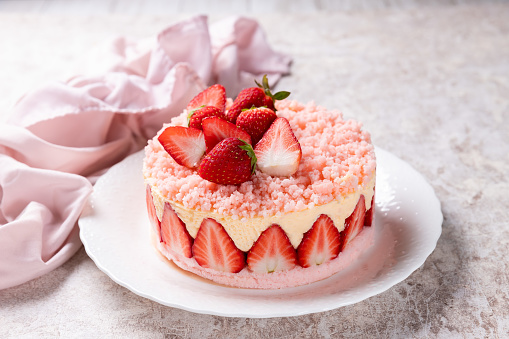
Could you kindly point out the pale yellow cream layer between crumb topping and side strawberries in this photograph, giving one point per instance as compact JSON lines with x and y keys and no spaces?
{"x":244,"y":232}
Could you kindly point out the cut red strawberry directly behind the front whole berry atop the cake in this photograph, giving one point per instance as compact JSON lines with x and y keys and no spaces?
{"x":216,"y":129}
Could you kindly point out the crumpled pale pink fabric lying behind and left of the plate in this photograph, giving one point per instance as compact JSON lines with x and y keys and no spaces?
{"x":63,"y":136}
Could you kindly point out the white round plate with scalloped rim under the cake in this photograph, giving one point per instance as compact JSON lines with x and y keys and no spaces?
{"x":115,"y":232}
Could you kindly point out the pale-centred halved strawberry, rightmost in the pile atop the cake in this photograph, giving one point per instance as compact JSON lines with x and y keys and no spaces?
{"x":278,"y":152}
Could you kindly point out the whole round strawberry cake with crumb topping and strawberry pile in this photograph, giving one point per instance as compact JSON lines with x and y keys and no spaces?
{"x":261,"y":191}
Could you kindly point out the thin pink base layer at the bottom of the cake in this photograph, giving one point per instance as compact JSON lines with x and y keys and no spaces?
{"x":295,"y":277}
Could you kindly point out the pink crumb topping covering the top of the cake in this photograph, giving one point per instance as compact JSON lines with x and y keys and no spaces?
{"x":337,"y":159}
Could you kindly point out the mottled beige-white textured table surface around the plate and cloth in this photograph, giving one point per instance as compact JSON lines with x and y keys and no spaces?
{"x":431,"y":84}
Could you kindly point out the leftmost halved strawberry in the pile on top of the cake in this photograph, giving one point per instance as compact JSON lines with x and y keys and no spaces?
{"x":185,"y":145}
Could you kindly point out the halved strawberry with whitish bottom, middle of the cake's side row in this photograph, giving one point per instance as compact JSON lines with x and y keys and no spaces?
{"x":272,"y":252}
